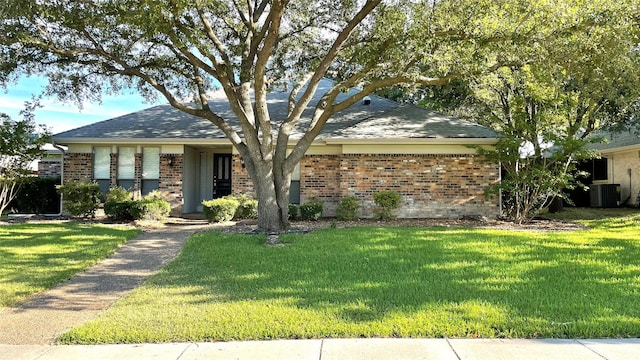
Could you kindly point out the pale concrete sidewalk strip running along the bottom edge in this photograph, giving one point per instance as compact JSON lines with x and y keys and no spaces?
{"x":334,"y":349}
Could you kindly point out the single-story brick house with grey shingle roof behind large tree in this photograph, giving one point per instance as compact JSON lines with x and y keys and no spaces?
{"x":375,"y":145}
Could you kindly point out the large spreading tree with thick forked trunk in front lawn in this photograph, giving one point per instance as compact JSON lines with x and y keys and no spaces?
{"x":182,"y":49}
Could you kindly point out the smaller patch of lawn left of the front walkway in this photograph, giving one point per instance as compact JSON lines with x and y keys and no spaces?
{"x":36,"y":257}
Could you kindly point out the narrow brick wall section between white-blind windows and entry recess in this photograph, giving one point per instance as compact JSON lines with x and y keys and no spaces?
{"x":170,"y":182}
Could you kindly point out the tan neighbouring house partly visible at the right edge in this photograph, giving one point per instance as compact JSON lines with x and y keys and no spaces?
{"x":620,"y":164}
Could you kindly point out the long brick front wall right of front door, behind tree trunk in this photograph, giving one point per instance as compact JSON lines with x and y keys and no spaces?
{"x":431,"y":186}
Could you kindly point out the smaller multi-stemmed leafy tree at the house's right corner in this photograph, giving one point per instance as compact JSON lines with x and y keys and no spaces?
{"x":548,"y":106}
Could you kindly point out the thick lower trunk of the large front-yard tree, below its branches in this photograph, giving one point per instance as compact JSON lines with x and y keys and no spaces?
{"x":272,"y":193}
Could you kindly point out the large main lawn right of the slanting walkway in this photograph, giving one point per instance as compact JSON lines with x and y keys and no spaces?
{"x":389,"y":282}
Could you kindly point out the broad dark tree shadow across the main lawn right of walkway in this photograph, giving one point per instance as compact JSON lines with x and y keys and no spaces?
{"x":484,"y":282}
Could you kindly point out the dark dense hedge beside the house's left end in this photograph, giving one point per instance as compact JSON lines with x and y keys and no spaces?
{"x":37,"y":195}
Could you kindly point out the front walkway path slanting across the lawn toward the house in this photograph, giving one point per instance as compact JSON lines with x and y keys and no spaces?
{"x":45,"y":317}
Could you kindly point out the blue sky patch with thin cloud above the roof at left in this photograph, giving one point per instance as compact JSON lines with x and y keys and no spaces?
{"x":59,"y":116}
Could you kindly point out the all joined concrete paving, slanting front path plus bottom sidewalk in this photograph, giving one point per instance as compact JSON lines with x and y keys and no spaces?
{"x":28,"y":332}
